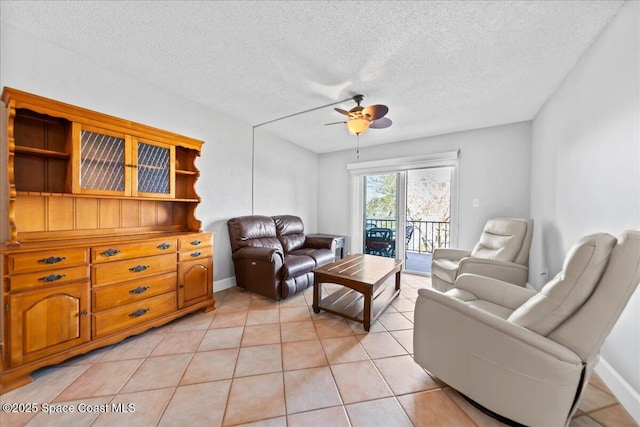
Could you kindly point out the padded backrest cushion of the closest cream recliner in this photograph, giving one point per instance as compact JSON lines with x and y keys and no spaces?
{"x":562,"y":296}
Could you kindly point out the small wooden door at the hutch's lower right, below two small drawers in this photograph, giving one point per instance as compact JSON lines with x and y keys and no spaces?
{"x":195,"y":281}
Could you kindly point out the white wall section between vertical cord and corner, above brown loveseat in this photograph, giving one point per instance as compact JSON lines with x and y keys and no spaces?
{"x":286,"y":179}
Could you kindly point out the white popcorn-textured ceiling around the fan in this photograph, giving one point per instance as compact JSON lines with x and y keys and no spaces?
{"x":440,"y":66}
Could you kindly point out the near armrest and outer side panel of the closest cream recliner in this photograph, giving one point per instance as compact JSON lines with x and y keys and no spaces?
{"x":497,"y":363}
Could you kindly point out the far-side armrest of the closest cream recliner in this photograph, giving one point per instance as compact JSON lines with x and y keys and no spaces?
{"x":494,"y":290}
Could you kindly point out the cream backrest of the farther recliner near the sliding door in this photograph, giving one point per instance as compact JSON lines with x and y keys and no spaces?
{"x":505,"y":239}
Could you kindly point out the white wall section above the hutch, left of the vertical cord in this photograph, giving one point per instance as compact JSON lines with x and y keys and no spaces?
{"x":35,"y":66}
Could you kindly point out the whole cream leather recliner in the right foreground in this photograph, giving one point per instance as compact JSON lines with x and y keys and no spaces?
{"x":525,"y":355}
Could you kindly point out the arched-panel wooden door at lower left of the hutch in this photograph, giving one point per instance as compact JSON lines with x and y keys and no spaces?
{"x":47,"y":322}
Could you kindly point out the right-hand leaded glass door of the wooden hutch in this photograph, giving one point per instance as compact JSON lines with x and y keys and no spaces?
{"x":155,"y":169}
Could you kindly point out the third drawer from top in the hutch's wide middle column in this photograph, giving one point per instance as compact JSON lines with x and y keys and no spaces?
{"x":105,"y":297}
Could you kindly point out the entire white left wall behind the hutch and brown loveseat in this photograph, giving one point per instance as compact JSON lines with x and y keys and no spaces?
{"x":286,"y":175}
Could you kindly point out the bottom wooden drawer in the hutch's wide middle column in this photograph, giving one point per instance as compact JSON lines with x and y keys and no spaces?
{"x":126,"y":316}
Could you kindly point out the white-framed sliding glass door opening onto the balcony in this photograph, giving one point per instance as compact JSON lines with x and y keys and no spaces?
{"x":404,"y":207}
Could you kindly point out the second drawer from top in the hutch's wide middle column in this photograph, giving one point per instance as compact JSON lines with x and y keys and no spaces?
{"x":130,"y":269}
